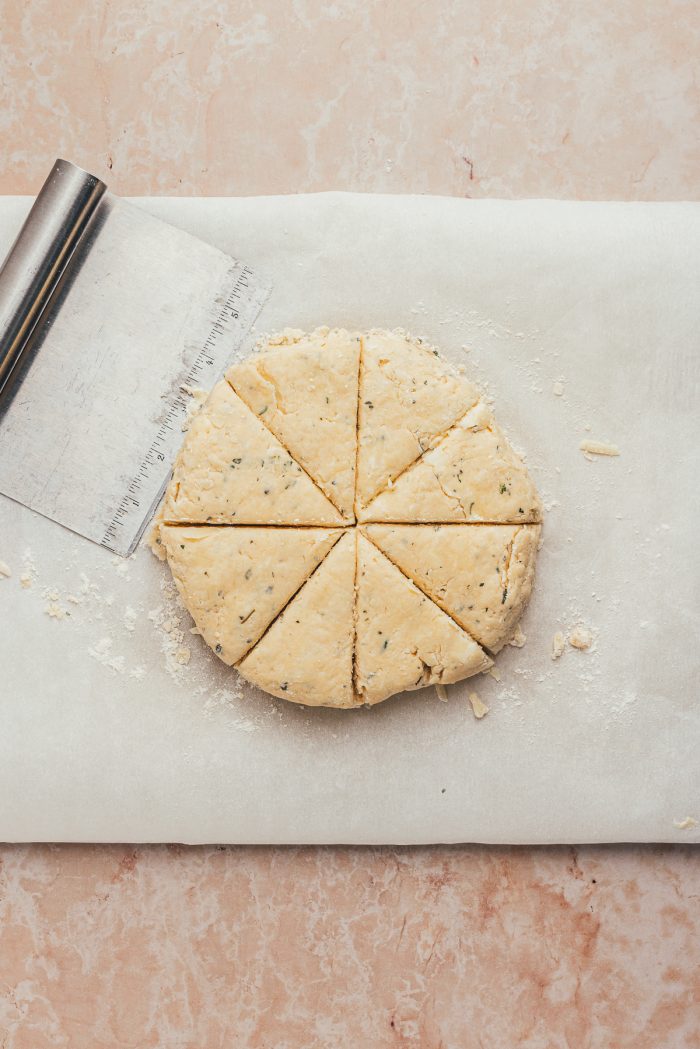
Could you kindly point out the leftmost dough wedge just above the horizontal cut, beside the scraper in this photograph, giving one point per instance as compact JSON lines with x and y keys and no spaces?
{"x":232,"y":470}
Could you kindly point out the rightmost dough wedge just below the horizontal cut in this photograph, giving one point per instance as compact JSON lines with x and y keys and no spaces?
{"x":480,"y":574}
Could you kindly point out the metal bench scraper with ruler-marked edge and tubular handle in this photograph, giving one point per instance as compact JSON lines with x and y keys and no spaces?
{"x":108,"y":317}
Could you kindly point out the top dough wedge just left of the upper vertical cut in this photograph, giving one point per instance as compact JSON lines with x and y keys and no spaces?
{"x":305,"y":390}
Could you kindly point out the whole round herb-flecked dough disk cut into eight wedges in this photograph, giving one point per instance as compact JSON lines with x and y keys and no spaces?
{"x":346,"y":521}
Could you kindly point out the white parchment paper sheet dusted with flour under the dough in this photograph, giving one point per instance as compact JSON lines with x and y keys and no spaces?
{"x":104,"y":737}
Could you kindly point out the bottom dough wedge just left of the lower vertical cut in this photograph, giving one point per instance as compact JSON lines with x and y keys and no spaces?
{"x":307,"y":655}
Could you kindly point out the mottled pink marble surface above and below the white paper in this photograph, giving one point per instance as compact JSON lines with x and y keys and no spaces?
{"x":279,"y":949}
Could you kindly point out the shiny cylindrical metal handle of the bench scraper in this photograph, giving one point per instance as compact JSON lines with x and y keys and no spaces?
{"x":41,"y":254}
